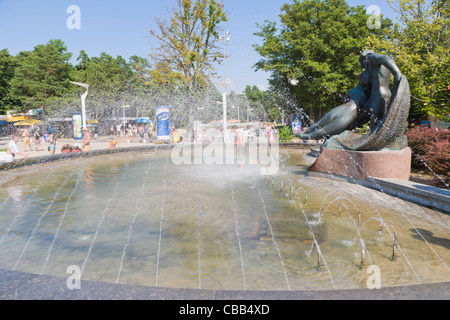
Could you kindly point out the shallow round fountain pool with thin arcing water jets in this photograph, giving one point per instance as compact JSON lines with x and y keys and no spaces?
{"x":135,"y":217}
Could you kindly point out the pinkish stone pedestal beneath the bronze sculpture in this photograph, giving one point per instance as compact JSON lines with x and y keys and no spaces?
{"x":363,"y":164}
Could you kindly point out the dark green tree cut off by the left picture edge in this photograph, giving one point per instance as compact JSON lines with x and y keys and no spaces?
{"x":7,"y":66}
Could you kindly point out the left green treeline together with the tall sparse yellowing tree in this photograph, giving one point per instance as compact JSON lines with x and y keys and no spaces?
{"x":41,"y":78}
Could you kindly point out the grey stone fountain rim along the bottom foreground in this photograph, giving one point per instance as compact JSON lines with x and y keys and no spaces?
{"x":16,"y":285}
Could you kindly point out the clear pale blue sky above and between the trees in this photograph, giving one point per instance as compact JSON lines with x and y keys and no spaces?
{"x":121,"y":28}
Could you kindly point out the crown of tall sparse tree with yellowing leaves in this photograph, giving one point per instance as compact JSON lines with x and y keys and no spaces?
{"x":187,"y":44}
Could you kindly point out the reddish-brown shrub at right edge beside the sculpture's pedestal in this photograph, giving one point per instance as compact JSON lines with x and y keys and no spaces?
{"x":432,"y":147}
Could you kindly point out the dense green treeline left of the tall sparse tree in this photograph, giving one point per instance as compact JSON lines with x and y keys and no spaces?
{"x":41,"y":79}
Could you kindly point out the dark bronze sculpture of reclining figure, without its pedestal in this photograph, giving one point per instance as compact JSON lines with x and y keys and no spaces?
{"x":371,"y":100}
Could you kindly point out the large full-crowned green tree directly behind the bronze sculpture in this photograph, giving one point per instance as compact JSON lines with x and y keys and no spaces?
{"x":313,"y":56}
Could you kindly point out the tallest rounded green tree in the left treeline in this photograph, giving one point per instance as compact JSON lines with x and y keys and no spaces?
{"x":40,"y":75}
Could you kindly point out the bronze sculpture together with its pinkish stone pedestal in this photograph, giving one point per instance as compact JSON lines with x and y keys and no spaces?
{"x":371,"y":100}
